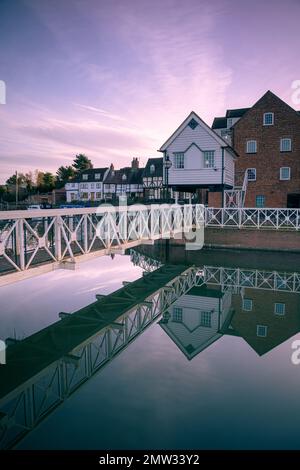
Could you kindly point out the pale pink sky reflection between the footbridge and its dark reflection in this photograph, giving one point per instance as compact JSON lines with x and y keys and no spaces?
{"x":32,"y":304}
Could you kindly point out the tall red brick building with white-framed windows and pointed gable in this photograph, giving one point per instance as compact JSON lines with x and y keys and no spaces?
{"x":267,"y":140}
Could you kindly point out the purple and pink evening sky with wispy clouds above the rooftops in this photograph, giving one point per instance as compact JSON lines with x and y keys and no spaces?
{"x":114,"y":78}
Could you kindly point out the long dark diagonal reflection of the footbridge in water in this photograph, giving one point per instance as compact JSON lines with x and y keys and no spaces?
{"x":47,"y":367}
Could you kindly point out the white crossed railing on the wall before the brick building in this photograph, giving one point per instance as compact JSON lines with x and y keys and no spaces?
{"x":259,"y":218}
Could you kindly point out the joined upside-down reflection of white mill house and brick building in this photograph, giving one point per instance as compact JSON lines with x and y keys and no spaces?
{"x":263,"y":318}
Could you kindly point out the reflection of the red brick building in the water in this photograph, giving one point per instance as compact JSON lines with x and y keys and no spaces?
{"x":266,"y":319}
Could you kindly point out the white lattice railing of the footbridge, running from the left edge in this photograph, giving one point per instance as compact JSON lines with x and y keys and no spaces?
{"x":34,"y":237}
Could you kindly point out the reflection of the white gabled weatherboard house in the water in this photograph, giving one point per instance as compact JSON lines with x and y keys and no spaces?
{"x":197,"y":319}
